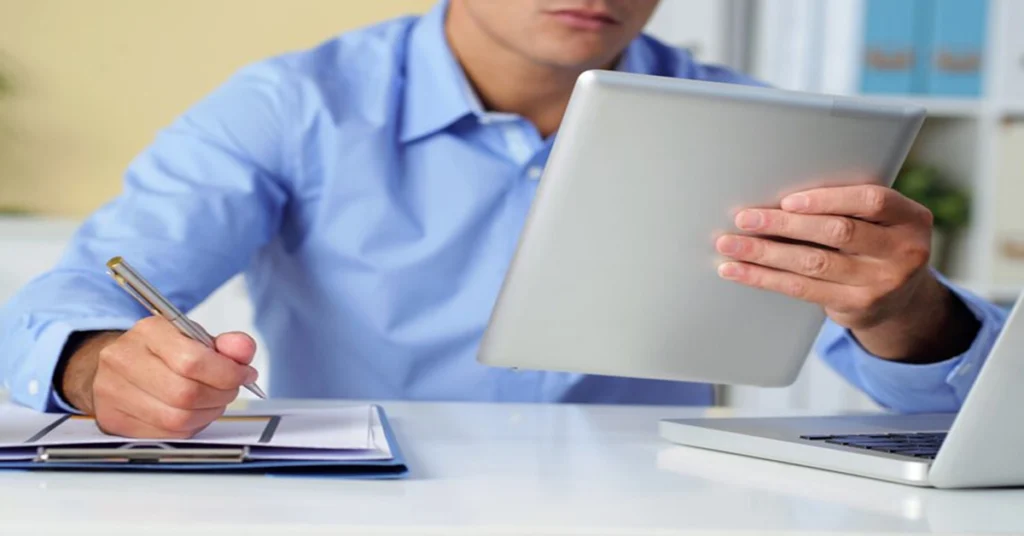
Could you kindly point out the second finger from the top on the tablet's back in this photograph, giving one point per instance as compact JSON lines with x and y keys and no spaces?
{"x":840,"y":233}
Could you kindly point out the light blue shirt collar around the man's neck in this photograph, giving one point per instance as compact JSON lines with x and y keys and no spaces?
{"x":438,"y":93}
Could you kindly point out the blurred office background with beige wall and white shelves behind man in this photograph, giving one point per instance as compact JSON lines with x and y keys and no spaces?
{"x":84,"y":87}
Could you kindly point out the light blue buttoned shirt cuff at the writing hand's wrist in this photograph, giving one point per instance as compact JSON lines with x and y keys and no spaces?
{"x":32,"y":384}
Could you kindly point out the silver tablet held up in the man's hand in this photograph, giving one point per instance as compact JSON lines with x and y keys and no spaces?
{"x":616,"y":271}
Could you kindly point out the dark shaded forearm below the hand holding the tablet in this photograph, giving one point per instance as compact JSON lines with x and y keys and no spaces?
{"x":940,"y":326}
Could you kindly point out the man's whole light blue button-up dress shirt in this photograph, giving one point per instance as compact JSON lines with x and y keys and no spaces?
{"x":374,"y":208}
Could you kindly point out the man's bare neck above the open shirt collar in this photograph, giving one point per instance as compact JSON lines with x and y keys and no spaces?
{"x":504,"y":80}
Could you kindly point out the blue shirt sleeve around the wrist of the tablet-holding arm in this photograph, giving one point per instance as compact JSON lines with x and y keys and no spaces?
{"x":915,"y":389}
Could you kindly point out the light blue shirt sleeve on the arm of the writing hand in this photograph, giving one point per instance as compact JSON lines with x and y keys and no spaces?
{"x":196,"y":205}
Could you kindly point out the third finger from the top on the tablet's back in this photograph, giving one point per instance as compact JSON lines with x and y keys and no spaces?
{"x":814,"y":263}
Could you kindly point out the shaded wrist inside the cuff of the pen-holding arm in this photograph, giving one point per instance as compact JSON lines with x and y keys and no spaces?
{"x":78,"y":367}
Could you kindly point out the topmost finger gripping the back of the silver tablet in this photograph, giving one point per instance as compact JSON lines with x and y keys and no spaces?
{"x":870,"y":202}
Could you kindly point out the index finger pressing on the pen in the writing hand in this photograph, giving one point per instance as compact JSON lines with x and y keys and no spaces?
{"x":191,"y":359}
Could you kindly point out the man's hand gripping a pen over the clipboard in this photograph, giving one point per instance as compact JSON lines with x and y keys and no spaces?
{"x":153,"y":382}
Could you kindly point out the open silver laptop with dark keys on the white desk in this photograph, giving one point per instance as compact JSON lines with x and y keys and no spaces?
{"x":980,"y":446}
